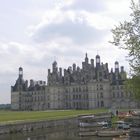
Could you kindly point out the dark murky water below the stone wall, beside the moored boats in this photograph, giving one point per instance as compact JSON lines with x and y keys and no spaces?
{"x":54,"y":134}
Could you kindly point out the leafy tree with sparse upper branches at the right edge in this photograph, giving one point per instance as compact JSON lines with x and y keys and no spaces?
{"x":127,"y":36}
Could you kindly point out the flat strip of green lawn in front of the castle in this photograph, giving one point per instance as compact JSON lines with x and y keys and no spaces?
{"x":19,"y":116}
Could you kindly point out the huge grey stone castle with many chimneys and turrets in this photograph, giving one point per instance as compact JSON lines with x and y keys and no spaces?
{"x":89,"y":87}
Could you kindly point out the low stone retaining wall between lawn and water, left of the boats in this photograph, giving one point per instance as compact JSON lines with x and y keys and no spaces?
{"x":30,"y":126}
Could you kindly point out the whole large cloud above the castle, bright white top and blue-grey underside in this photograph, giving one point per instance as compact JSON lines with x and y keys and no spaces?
{"x":77,"y":27}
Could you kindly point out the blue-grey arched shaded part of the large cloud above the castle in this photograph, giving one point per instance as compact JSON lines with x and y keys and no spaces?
{"x":79,"y":33}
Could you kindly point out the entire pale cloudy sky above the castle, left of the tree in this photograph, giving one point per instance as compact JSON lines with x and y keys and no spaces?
{"x":34,"y":33}
